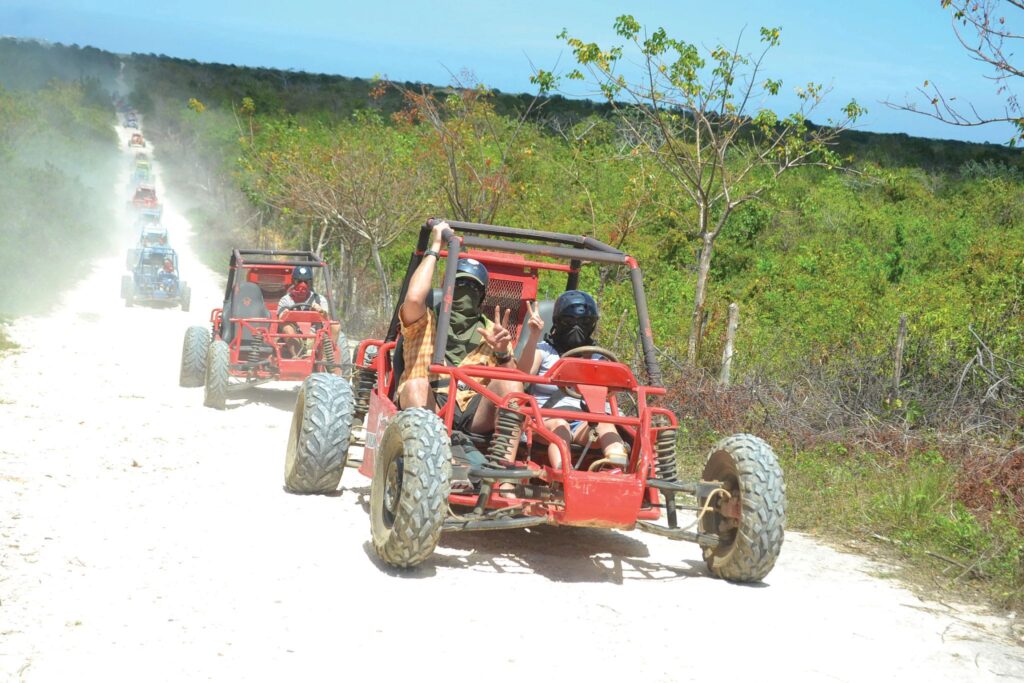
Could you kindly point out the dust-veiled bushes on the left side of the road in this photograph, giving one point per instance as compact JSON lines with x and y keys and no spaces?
{"x":58,"y":154}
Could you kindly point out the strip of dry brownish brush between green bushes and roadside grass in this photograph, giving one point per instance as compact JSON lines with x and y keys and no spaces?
{"x":967,"y":411}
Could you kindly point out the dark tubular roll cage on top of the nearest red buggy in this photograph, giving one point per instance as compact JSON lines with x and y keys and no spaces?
{"x":576,"y":249}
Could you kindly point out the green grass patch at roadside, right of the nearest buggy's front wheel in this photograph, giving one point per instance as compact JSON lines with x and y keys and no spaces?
{"x":910,"y":505}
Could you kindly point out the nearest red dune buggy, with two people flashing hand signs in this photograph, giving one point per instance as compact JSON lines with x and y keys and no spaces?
{"x":422,"y":485}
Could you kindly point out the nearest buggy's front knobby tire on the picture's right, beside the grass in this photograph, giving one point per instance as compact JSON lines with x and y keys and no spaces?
{"x":749,"y":469}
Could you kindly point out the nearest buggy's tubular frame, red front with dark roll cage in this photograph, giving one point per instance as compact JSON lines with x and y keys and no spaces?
{"x":608,"y":499}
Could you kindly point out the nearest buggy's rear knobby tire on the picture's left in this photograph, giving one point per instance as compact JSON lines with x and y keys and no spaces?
{"x":318,"y":443}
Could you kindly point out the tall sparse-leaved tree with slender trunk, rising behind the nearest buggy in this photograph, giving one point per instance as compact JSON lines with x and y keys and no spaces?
{"x":704,"y":117}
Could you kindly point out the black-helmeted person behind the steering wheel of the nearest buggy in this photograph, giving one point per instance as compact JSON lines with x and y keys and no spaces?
{"x":574,"y":320}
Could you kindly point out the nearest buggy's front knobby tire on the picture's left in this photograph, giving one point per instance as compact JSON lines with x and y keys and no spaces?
{"x":410,"y":490}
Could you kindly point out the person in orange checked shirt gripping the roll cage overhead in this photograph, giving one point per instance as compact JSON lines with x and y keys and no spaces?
{"x":474,"y":340}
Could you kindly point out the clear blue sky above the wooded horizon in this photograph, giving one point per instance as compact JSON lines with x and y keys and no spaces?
{"x":870,"y":50}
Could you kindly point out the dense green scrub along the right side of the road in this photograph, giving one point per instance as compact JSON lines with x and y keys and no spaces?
{"x":823,"y":269}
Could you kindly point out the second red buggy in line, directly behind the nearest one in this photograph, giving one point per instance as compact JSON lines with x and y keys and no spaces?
{"x":248,"y":340}
